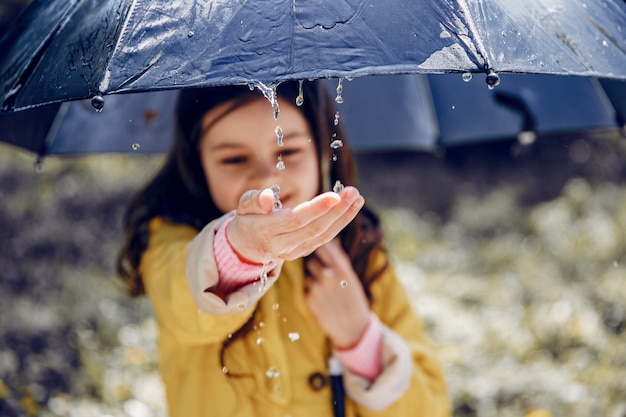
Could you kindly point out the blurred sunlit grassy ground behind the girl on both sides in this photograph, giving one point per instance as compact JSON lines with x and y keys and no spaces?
{"x":514,"y":257}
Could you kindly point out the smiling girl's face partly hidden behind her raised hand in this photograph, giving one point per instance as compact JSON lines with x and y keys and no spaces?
{"x":239,"y":152}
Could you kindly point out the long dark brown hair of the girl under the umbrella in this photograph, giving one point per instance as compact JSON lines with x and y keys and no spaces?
{"x":179,"y":191}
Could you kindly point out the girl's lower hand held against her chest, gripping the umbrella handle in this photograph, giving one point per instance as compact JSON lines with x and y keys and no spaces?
{"x":335,"y":296}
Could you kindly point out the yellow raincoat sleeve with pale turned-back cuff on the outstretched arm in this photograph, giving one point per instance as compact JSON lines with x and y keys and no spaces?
{"x":178,"y":270}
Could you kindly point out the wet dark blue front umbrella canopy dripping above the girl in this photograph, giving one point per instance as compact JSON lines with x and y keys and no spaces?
{"x":68,"y":49}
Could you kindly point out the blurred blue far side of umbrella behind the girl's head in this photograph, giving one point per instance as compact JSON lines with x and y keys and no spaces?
{"x":396,"y":112}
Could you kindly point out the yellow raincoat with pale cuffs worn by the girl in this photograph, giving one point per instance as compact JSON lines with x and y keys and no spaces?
{"x":284,"y":351}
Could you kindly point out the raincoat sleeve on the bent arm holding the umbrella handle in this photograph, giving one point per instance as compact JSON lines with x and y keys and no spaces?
{"x":412,"y":381}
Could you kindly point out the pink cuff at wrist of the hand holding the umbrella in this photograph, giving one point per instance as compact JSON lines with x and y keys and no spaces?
{"x":365,"y":359}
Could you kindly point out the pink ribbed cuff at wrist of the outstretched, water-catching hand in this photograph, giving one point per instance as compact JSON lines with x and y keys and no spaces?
{"x":233,"y":271}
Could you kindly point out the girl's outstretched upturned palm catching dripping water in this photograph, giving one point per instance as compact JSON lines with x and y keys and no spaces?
{"x":260,"y":234}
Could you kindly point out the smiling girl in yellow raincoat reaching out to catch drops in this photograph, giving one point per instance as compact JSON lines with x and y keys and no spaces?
{"x":252,"y":299}
